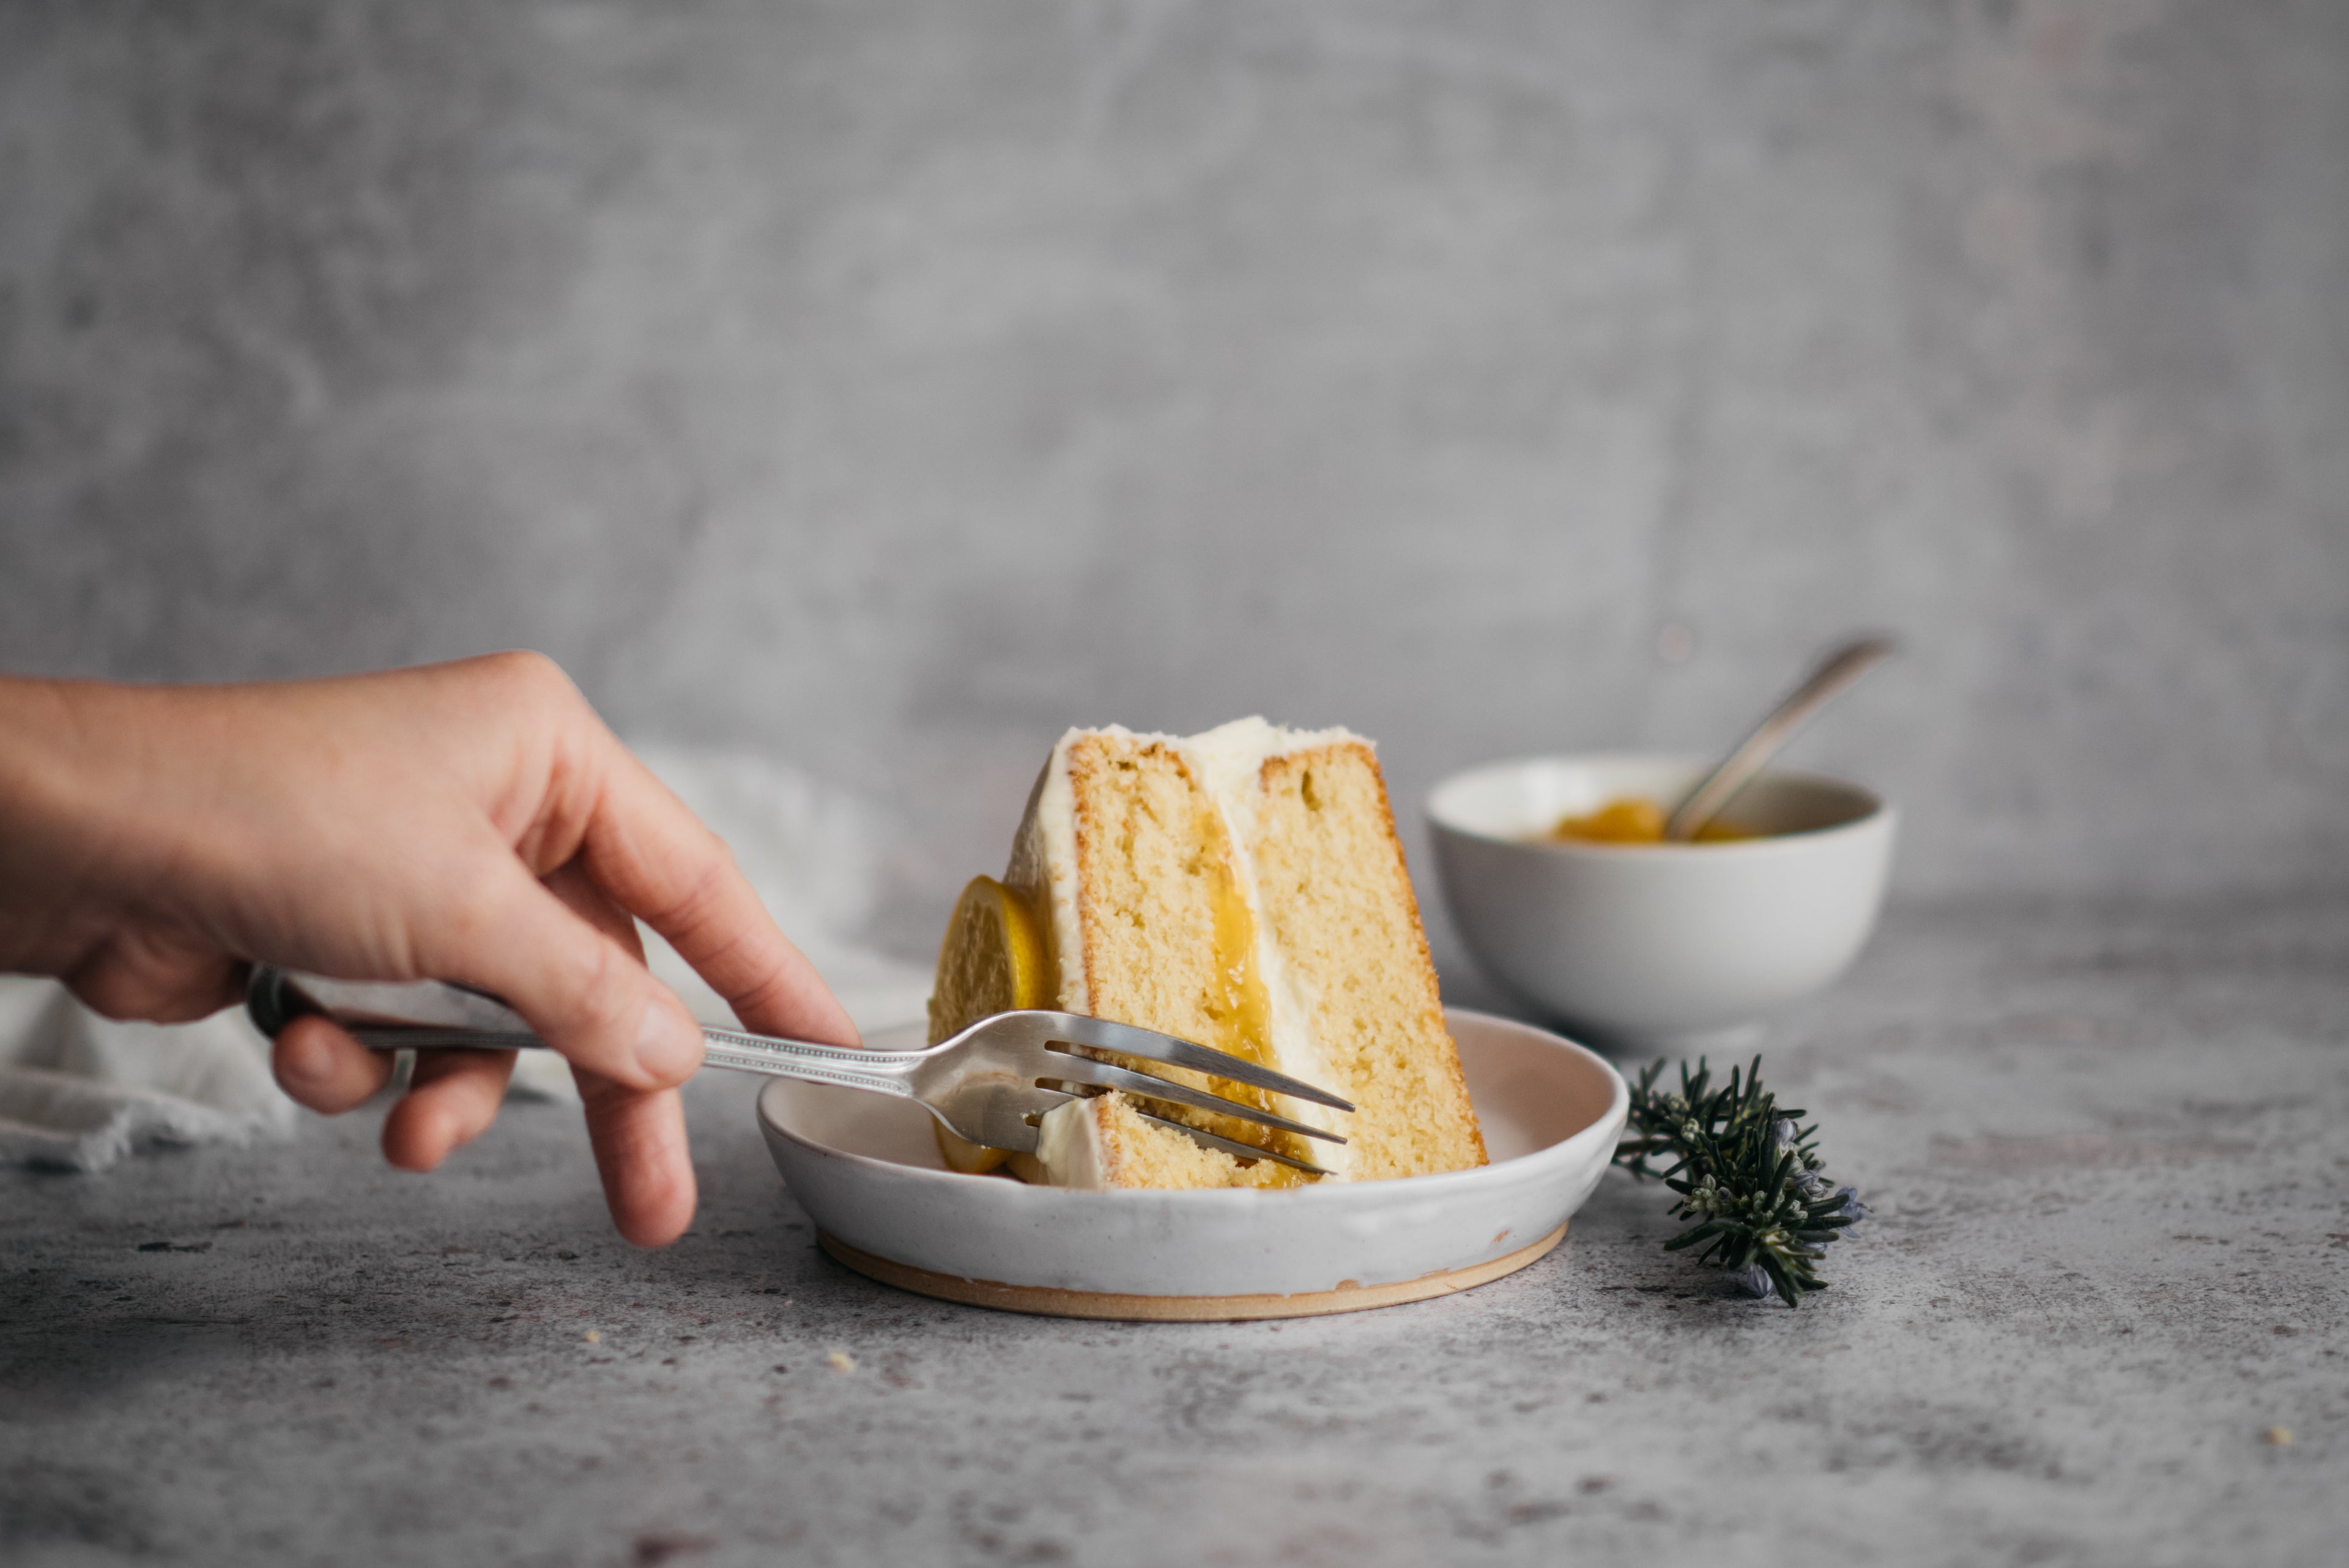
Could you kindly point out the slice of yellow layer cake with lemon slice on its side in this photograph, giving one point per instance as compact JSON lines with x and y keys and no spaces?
{"x":1244,"y":890}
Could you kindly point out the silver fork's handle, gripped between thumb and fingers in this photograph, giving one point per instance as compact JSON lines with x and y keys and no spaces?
{"x":440,"y":1017}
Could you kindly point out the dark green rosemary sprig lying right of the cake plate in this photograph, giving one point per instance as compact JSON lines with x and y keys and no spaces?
{"x":1749,"y":1177}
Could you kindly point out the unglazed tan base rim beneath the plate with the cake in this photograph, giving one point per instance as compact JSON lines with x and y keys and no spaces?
{"x":1049,"y":1301}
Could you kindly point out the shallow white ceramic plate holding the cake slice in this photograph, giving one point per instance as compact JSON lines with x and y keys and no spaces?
{"x":868,"y":1172}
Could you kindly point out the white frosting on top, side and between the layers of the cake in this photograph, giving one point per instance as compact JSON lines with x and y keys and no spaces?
{"x":1230,"y":763}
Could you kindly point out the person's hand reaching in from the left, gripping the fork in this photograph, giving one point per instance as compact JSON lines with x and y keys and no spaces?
{"x":469,"y":822}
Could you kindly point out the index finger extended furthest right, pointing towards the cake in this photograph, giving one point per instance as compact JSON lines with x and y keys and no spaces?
{"x":659,"y":862}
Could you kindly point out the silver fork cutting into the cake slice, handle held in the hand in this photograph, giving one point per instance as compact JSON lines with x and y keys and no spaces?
{"x":988,"y":1085}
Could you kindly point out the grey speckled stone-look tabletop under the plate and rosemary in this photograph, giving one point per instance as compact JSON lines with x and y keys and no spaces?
{"x":2106,"y":1153}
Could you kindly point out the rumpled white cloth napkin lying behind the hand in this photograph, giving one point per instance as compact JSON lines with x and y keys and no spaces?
{"x":81,"y":1092}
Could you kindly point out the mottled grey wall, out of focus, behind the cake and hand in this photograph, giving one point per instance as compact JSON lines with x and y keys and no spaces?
{"x":887,"y":387}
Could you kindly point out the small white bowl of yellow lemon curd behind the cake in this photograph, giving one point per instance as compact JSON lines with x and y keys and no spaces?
{"x":1559,"y":878}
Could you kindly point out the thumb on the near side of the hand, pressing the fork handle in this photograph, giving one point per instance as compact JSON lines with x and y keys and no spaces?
{"x":584,"y":993}
